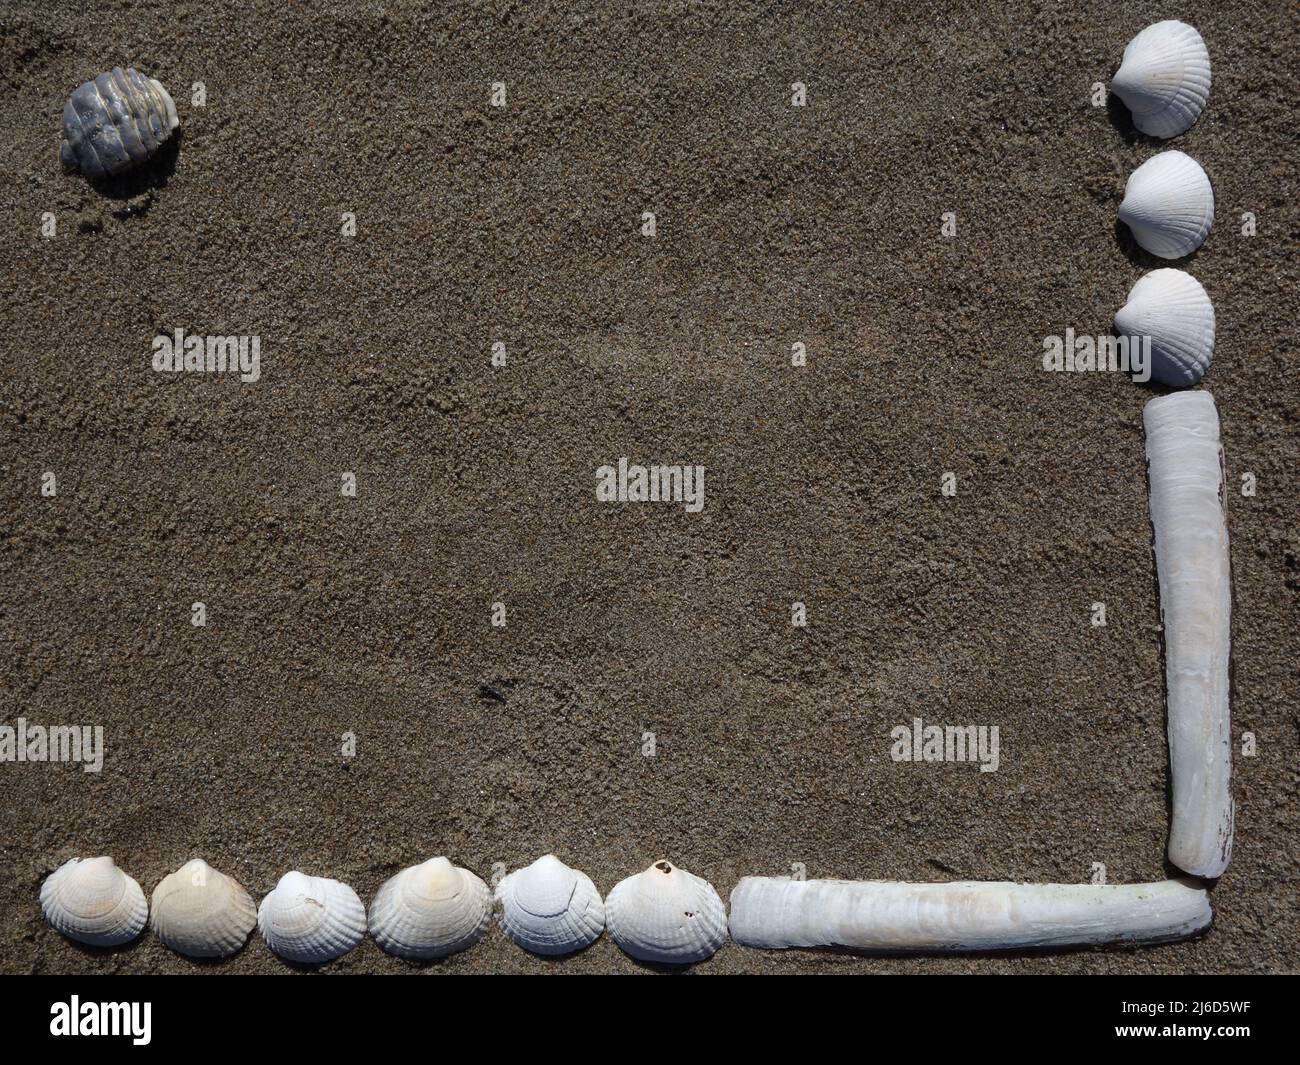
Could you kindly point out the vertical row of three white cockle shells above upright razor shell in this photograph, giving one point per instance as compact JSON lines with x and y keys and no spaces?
{"x":1169,"y":202}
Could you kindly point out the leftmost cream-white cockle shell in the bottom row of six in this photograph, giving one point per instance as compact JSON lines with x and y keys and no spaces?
{"x":93,"y":902}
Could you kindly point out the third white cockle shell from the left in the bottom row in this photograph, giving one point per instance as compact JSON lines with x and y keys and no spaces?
{"x":311,"y":919}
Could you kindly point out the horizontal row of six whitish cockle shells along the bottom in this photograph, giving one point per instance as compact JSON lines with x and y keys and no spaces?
{"x":430,"y":911}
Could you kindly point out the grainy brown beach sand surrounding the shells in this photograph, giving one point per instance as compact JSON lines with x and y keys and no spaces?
{"x":775,"y":224}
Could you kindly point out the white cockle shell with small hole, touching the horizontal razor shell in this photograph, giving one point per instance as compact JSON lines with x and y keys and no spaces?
{"x":666,"y":915}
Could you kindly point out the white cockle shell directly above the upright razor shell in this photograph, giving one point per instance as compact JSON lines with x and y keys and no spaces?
{"x":1173,"y":310}
